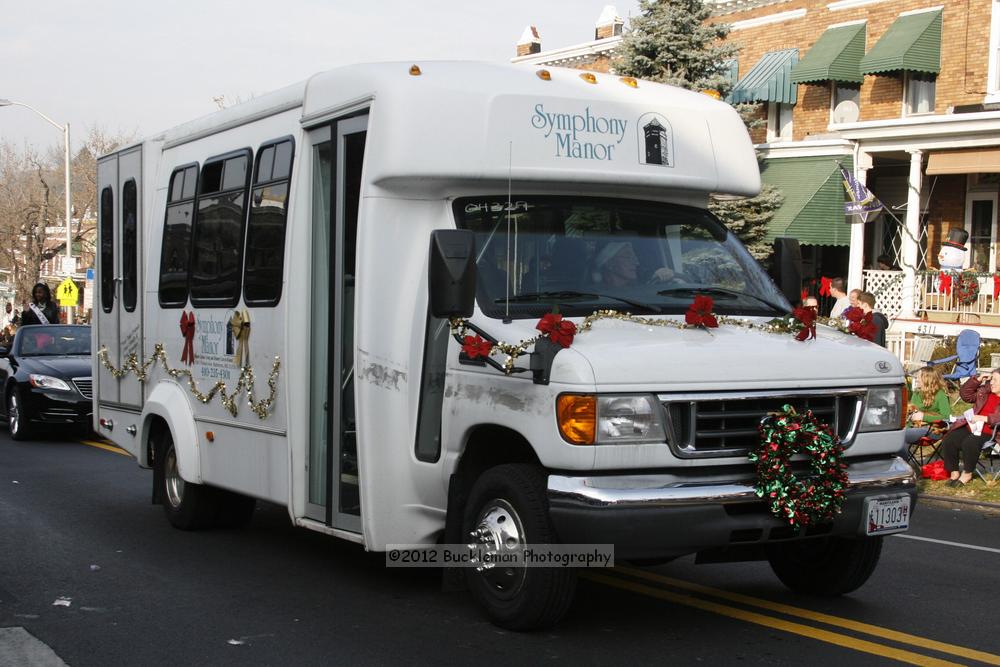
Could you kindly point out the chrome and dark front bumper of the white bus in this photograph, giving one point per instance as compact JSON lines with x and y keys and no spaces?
{"x":667,"y":515}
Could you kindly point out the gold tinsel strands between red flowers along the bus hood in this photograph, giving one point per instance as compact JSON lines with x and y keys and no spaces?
{"x":783,"y":325}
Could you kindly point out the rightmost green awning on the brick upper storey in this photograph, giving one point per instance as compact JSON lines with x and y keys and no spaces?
{"x":912,"y":43}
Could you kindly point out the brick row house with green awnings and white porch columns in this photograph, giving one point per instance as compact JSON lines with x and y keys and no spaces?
{"x":906,"y":93}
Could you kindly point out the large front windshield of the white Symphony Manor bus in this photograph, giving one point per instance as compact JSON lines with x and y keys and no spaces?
{"x":585,"y":254}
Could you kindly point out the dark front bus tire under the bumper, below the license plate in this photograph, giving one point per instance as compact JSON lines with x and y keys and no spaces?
{"x":825,"y":567}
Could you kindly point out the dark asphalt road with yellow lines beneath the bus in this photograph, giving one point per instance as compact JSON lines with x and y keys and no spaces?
{"x":93,"y":571}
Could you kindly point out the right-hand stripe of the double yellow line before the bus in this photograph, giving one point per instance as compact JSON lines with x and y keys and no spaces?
{"x":846,"y":623}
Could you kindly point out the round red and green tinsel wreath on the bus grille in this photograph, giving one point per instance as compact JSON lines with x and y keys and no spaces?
{"x":799,"y":502}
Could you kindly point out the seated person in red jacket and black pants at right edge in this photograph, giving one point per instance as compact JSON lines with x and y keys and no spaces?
{"x":984,"y":393}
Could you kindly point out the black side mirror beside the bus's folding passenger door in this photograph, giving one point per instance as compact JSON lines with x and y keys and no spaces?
{"x":452,"y":279}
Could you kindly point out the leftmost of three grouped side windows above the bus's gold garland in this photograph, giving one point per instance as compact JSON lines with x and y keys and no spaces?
{"x":176,"y":249}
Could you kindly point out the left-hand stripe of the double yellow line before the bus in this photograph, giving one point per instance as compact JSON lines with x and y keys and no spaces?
{"x":771,"y":622}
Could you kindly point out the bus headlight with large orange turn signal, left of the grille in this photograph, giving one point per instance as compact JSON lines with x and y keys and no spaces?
{"x":609,"y":420}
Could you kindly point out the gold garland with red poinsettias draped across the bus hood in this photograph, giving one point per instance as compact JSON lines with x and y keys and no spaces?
{"x":801,"y":323}
